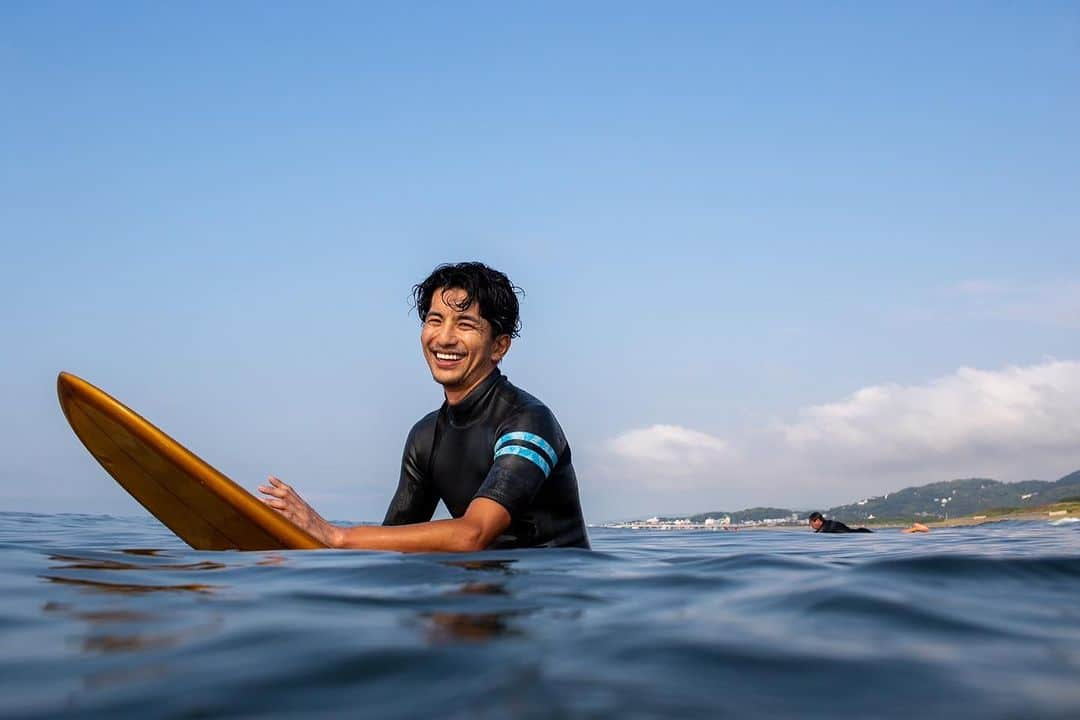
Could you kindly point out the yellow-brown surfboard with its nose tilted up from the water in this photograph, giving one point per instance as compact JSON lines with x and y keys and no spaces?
{"x":201,"y":506}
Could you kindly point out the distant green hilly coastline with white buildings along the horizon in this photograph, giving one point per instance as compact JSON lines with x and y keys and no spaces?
{"x":935,"y":501}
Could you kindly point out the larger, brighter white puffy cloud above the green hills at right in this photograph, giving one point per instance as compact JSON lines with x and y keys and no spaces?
{"x":963,"y":417}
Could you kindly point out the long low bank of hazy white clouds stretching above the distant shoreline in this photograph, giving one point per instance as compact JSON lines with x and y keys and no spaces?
{"x":1014,"y":424}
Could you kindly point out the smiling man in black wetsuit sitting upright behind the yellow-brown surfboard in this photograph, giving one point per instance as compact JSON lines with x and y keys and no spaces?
{"x":493,"y":454}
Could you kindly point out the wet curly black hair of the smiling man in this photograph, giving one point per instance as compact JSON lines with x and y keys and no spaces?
{"x":487,"y":287}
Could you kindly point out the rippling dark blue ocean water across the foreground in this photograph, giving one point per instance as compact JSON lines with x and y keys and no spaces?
{"x":115,"y":617}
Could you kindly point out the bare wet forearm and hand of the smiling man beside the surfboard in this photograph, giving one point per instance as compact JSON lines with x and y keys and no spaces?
{"x":484,"y":521}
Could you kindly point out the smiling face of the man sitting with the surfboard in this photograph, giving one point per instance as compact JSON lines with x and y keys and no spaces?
{"x":460,"y":346}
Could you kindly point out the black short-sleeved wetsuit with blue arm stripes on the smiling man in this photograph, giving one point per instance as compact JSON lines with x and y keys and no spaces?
{"x":498,"y":443}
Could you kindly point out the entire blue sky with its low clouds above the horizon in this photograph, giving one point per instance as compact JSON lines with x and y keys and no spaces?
{"x":735,"y":227}
